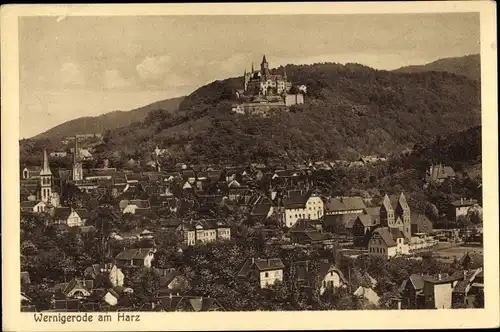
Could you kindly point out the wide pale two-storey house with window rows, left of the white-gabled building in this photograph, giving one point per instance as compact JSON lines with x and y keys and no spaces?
{"x":204,"y":231}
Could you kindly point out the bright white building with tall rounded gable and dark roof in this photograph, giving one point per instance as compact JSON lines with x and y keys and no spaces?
{"x":298,"y":205}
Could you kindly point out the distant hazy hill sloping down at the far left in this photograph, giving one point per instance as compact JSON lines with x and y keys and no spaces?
{"x":108,"y":121}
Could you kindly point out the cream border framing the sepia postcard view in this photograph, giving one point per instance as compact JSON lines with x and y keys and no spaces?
{"x":13,"y":320}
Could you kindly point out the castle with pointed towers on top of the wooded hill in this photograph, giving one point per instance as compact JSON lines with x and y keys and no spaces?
{"x":263,"y":91}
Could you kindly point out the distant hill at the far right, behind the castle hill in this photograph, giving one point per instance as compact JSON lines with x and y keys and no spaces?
{"x":469,"y":66}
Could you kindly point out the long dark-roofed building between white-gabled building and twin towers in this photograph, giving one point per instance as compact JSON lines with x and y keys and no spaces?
{"x":340,"y":210}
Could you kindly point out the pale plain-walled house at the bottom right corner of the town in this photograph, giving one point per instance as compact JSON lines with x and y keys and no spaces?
{"x":438,"y":290}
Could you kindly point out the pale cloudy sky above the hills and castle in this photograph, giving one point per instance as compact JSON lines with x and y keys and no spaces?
{"x":86,"y":66}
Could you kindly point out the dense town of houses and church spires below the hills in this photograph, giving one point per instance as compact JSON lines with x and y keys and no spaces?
{"x":160,"y":235}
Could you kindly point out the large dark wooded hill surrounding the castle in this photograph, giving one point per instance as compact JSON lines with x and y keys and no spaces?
{"x":350,"y":110}
